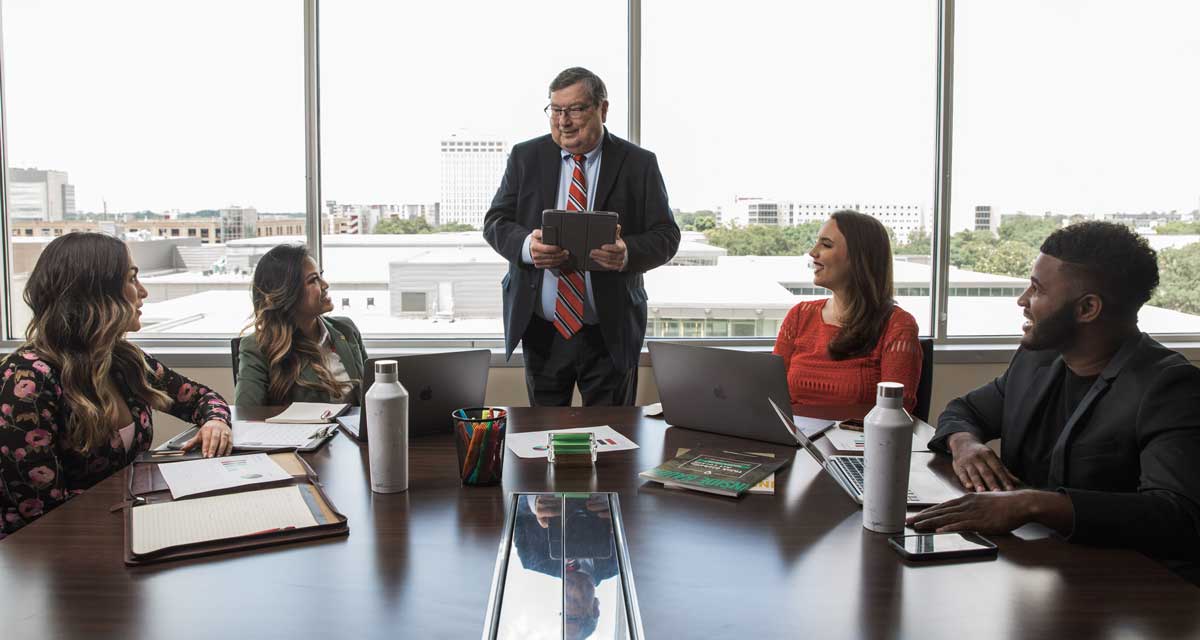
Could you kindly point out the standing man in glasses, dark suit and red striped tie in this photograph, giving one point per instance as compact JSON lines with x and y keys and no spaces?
{"x":580,"y":328}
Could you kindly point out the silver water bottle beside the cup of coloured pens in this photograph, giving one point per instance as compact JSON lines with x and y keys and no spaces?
{"x":387,"y":410}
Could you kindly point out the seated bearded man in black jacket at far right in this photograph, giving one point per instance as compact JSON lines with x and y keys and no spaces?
{"x":1101,"y":422}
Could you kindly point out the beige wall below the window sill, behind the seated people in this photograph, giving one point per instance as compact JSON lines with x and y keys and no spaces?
{"x":506,"y":387}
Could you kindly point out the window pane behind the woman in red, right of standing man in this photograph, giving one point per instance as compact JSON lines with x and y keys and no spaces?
{"x":770,"y":128}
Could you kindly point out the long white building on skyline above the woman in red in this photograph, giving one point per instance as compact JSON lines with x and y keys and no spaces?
{"x":902,"y":219}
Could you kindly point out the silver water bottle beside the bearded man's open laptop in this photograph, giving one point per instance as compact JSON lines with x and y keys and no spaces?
{"x":889,"y":429}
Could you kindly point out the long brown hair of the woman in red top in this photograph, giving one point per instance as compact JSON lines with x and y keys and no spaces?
{"x":869,"y":300}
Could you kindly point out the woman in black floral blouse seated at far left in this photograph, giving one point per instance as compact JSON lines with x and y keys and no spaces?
{"x":76,"y":399}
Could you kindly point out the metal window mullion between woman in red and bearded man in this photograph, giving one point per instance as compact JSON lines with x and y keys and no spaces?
{"x":943,"y":168}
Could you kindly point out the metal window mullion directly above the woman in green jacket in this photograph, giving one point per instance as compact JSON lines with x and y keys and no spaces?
{"x":313,"y":129}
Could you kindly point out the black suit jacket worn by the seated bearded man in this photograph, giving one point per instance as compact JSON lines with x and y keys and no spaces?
{"x":1129,"y":457}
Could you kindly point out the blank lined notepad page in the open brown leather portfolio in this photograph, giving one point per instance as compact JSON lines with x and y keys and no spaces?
{"x":218,"y":518}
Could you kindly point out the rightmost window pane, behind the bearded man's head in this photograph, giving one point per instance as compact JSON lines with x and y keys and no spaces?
{"x":1091,"y":118}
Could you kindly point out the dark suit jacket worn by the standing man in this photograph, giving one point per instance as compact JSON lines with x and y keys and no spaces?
{"x":629,"y":184}
